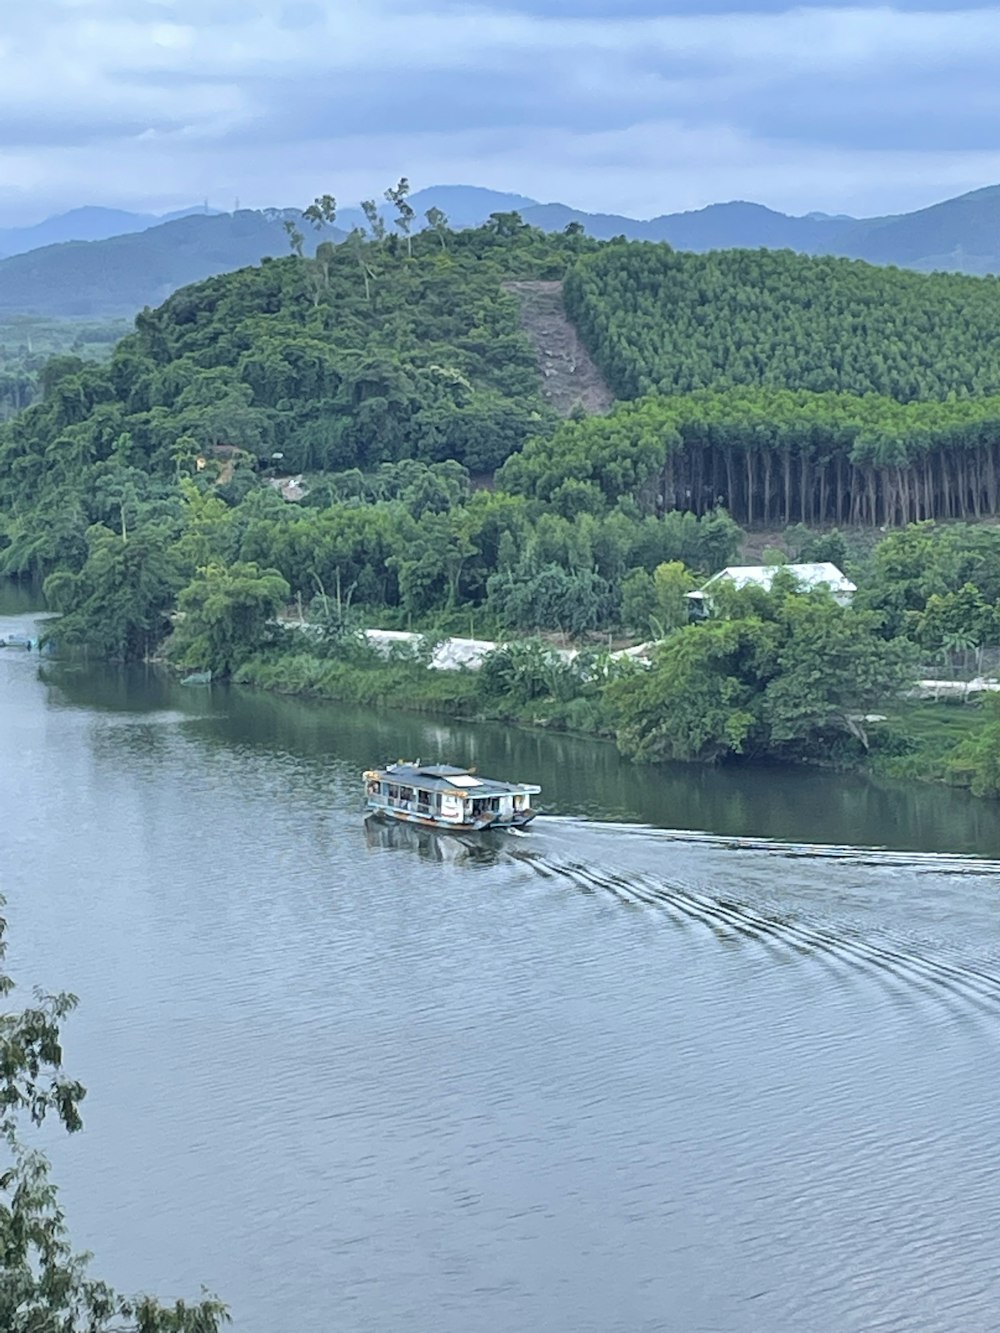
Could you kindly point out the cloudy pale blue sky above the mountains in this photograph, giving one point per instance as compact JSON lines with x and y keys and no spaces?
{"x":637,"y":107}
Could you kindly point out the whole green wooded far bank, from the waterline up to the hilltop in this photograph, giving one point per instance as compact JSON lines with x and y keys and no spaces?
{"x":454,"y":478}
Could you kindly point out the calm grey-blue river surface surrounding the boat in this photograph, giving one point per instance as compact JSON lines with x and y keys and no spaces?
{"x":706,"y":1051}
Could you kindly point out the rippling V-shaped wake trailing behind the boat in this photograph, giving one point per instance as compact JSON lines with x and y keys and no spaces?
{"x":847,"y":948}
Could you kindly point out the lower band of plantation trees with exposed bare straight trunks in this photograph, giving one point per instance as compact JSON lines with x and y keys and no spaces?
{"x":774,"y":457}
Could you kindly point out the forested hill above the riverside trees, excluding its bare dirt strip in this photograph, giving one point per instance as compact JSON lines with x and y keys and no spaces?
{"x":779,"y":387}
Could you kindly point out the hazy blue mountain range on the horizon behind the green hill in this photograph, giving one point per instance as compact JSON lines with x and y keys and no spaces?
{"x":95,"y":262}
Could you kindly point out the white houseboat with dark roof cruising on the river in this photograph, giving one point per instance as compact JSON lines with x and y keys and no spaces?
{"x":442,"y":796}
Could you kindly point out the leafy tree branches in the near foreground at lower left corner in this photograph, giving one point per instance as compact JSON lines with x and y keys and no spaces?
{"x":46,"y":1287}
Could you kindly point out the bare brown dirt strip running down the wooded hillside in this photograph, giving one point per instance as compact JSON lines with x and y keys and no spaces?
{"x":570,"y":377}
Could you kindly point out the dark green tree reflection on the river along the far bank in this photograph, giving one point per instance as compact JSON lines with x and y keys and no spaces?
{"x":578,"y":776}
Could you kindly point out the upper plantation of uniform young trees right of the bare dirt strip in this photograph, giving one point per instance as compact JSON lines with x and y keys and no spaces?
{"x":663,"y":322}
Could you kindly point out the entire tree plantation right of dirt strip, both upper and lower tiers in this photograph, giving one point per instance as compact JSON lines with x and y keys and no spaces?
{"x":811,"y":390}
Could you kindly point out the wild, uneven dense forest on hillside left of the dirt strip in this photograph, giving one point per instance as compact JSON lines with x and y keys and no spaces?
{"x":353,"y":359}
